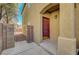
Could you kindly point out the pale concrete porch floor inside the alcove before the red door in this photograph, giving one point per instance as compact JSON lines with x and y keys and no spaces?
{"x":50,"y":46}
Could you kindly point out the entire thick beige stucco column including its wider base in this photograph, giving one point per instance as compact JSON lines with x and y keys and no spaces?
{"x":66,"y":39}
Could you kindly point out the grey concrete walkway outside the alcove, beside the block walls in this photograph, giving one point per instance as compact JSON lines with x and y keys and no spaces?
{"x":24,"y":48}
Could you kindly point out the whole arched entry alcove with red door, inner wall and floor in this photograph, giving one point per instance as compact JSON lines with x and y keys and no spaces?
{"x":50,"y":28}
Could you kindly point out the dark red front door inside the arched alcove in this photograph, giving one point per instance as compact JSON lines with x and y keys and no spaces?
{"x":46,"y":28}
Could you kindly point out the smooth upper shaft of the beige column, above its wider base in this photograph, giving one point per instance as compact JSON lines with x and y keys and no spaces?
{"x":67,"y":20}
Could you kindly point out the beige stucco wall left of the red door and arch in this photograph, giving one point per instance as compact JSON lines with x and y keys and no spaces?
{"x":35,"y":19}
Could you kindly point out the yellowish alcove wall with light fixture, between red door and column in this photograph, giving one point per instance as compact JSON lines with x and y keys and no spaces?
{"x":54,"y":26}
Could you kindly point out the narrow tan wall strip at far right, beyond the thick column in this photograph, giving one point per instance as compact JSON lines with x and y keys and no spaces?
{"x":77,"y":24}
